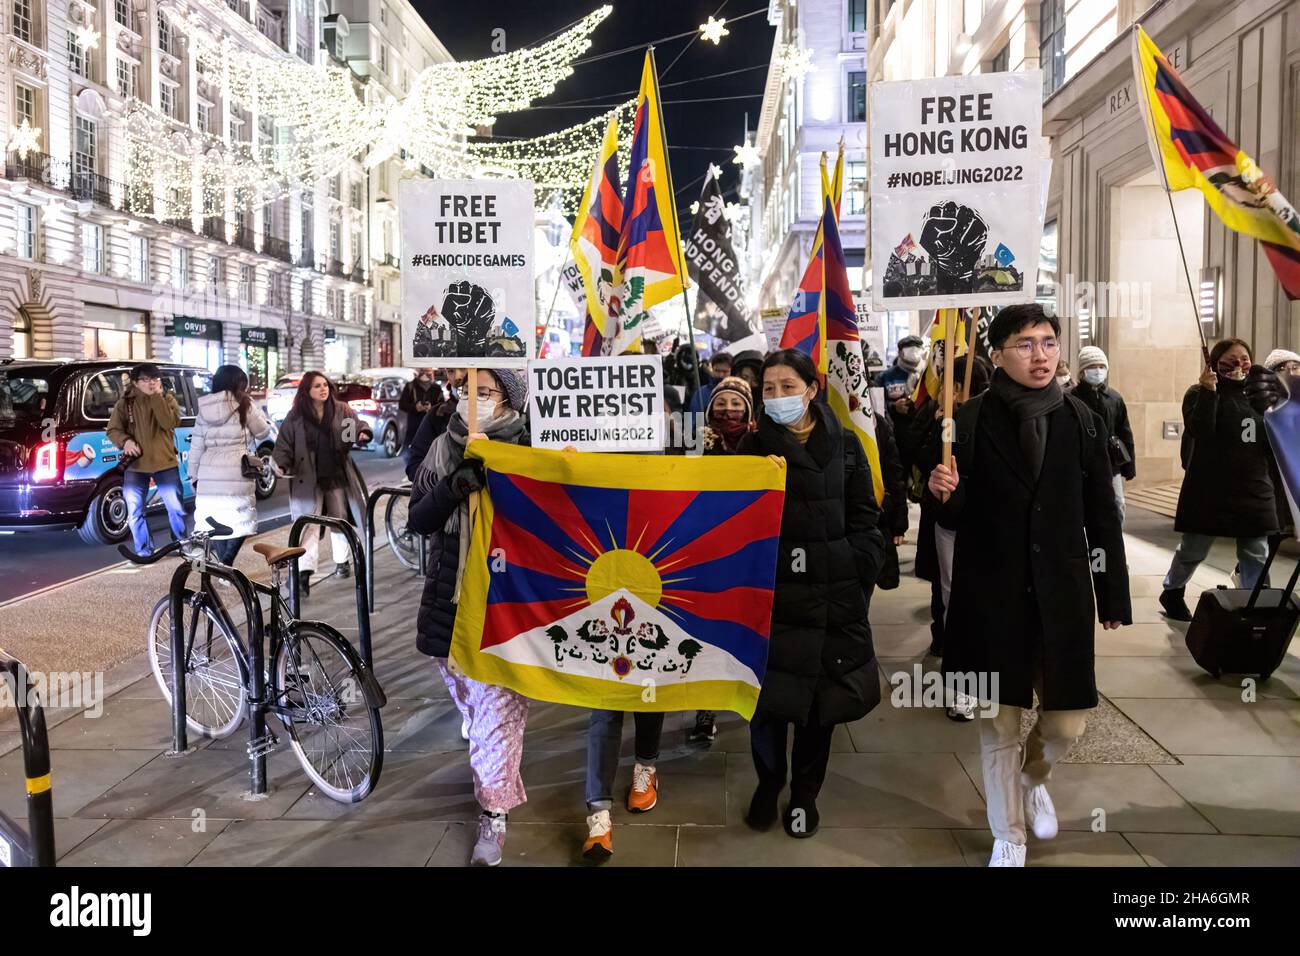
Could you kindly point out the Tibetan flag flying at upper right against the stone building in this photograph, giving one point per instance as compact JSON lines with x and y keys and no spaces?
{"x":1193,"y":153}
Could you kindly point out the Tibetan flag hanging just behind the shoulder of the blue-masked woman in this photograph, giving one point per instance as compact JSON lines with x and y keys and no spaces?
{"x":848,"y":387}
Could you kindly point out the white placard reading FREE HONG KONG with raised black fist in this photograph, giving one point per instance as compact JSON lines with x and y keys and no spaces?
{"x":956,"y":191}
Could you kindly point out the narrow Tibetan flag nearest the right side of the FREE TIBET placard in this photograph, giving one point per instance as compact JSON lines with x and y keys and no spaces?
{"x":595,"y":243}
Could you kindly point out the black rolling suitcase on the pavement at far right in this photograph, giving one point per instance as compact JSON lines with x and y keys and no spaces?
{"x":1238,"y":631}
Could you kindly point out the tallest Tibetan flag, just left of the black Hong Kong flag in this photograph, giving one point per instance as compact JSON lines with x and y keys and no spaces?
{"x":651,"y":259}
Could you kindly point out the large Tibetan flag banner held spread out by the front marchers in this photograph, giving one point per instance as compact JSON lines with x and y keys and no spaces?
{"x":622,"y":582}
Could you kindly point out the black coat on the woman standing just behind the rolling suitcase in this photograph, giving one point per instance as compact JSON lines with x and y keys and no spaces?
{"x":1228,"y":490}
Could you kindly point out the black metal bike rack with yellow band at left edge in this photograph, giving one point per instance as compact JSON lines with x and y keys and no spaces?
{"x":37,"y":846}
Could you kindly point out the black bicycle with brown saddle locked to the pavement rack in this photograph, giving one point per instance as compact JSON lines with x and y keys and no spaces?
{"x":317,"y":686}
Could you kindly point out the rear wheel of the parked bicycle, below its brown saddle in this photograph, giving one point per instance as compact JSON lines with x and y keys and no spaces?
{"x":332,"y":715}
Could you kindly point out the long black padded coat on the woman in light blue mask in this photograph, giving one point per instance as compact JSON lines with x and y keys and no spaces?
{"x":821,"y":664}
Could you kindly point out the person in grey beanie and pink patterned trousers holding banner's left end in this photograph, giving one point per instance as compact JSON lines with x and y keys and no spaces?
{"x":440,"y":508}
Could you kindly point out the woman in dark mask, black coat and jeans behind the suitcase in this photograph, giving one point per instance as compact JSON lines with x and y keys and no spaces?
{"x":1228,"y":490}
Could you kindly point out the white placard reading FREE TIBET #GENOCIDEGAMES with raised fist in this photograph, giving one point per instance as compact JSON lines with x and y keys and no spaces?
{"x":467,"y":272}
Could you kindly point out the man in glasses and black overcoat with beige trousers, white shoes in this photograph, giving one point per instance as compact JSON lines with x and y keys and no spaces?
{"x":1038,"y":534}
